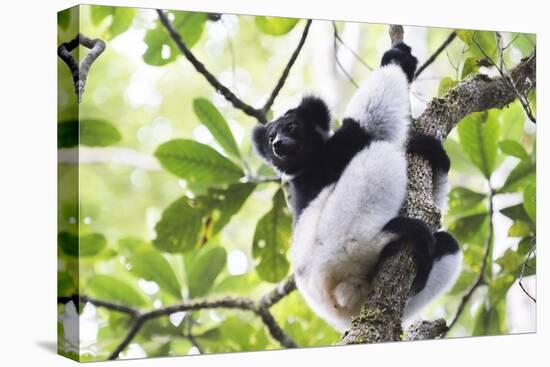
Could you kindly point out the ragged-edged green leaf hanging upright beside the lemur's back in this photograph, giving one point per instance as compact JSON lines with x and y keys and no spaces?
{"x":271,"y":241}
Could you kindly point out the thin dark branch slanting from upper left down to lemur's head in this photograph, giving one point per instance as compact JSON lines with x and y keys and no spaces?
{"x":201,"y":69}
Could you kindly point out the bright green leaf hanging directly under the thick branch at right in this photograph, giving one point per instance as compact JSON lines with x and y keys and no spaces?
{"x":479,"y":140}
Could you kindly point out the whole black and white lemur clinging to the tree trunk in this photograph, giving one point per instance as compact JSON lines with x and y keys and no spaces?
{"x":347,"y":189}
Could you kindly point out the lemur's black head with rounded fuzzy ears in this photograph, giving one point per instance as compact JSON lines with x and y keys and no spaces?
{"x":291,"y":141}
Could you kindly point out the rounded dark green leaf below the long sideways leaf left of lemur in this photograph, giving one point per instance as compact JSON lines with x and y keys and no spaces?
{"x":179,"y":227}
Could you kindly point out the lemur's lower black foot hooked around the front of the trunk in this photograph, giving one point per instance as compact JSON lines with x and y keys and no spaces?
{"x":423,"y":241}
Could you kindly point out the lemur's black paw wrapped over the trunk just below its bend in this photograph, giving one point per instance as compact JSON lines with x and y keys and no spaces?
{"x":431,"y":149}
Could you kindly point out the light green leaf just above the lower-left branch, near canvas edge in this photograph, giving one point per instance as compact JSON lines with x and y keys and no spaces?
{"x":109,"y":288}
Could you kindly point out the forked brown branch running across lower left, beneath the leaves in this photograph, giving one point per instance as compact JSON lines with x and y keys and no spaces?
{"x":260,"y":309}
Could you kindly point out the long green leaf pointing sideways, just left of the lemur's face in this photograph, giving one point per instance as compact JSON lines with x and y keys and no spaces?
{"x":197,"y":162}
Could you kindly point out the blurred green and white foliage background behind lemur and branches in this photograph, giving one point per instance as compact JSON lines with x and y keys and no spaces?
{"x":169,"y":200}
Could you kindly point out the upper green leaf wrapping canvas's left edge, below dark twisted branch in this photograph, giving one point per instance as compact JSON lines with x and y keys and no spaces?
{"x":90,"y":132}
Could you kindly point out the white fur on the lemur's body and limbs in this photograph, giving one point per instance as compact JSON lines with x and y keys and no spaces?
{"x":338,"y":237}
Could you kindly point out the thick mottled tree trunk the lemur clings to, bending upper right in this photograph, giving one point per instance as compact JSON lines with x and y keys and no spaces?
{"x":381,"y":315}
